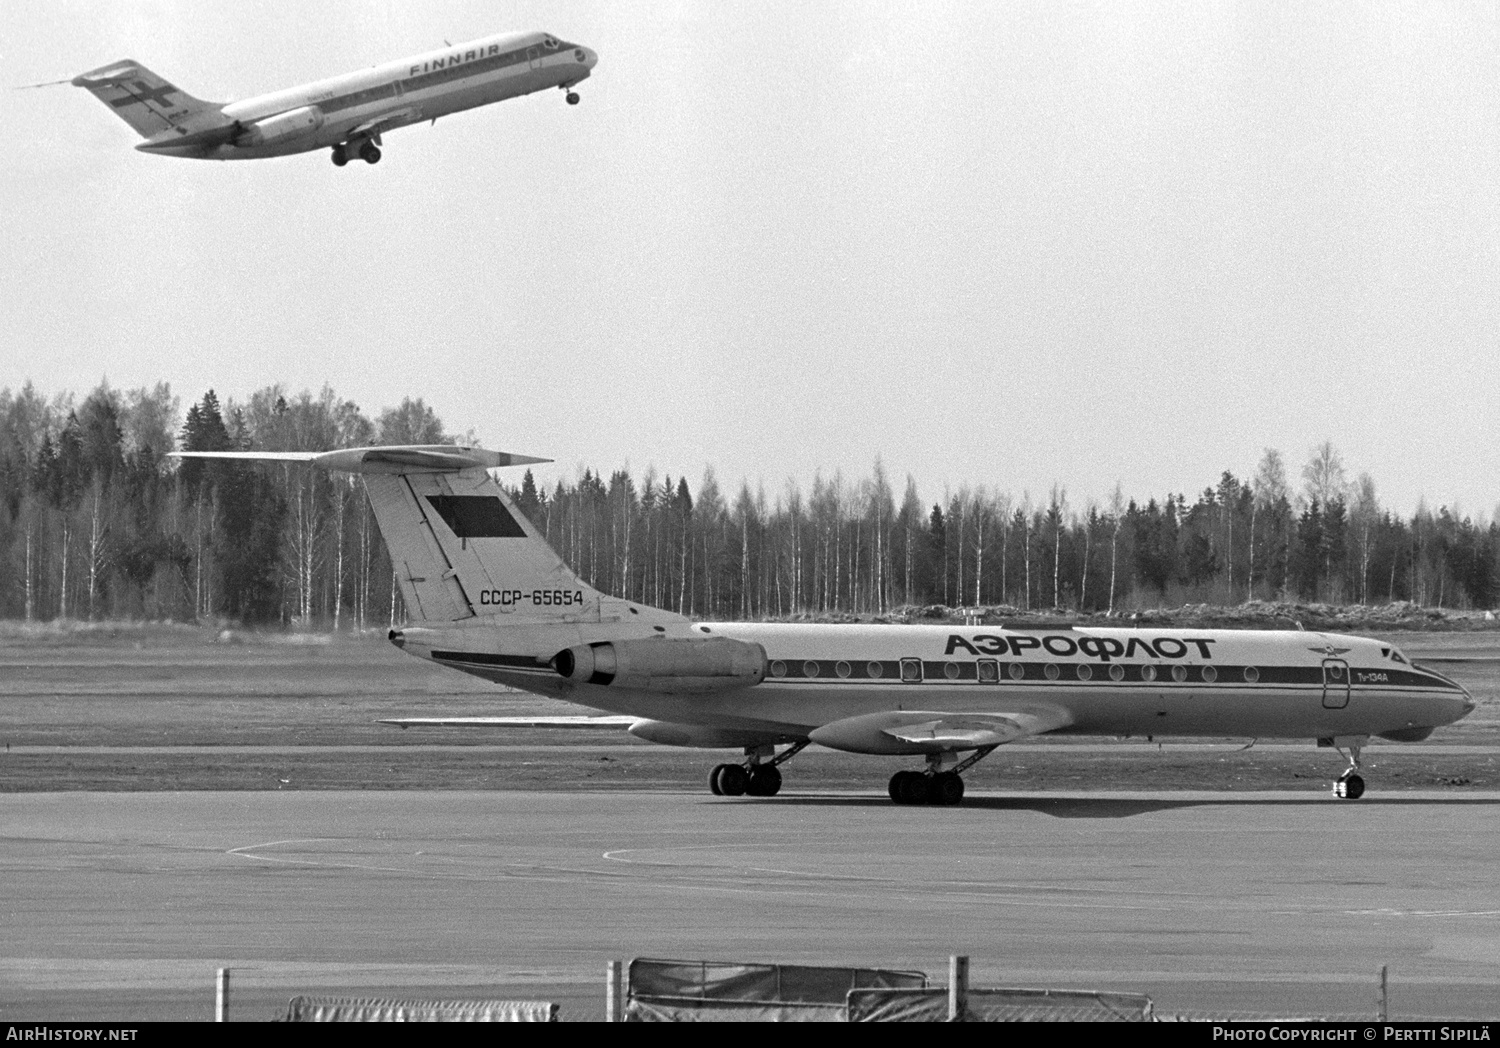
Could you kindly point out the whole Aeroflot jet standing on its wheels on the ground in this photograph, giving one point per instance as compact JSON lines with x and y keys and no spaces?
{"x":490,"y":597}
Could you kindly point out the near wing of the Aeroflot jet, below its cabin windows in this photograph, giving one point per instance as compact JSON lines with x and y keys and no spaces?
{"x":925,"y":731}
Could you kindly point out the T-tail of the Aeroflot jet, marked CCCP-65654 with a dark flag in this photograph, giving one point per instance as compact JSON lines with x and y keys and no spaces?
{"x":460,"y":546}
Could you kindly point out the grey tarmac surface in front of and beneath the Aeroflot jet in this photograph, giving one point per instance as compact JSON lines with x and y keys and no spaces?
{"x":121,"y":906}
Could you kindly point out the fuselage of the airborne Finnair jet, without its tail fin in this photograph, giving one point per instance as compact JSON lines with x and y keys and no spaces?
{"x":394,"y":95}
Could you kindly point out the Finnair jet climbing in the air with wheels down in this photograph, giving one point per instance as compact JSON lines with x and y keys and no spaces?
{"x":346,"y":113}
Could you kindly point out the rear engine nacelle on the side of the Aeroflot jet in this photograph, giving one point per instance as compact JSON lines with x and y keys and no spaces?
{"x":679,"y":666}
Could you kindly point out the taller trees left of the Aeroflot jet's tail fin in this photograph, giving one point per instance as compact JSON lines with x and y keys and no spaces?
{"x":98,"y":523}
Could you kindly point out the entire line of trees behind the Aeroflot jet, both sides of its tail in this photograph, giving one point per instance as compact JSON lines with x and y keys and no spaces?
{"x":98,"y":523}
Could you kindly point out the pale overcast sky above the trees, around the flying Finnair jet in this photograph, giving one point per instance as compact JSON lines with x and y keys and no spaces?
{"x":1009,"y":245}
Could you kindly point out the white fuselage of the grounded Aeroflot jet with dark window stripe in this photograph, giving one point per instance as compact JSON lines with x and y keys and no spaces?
{"x":1097,"y":681}
